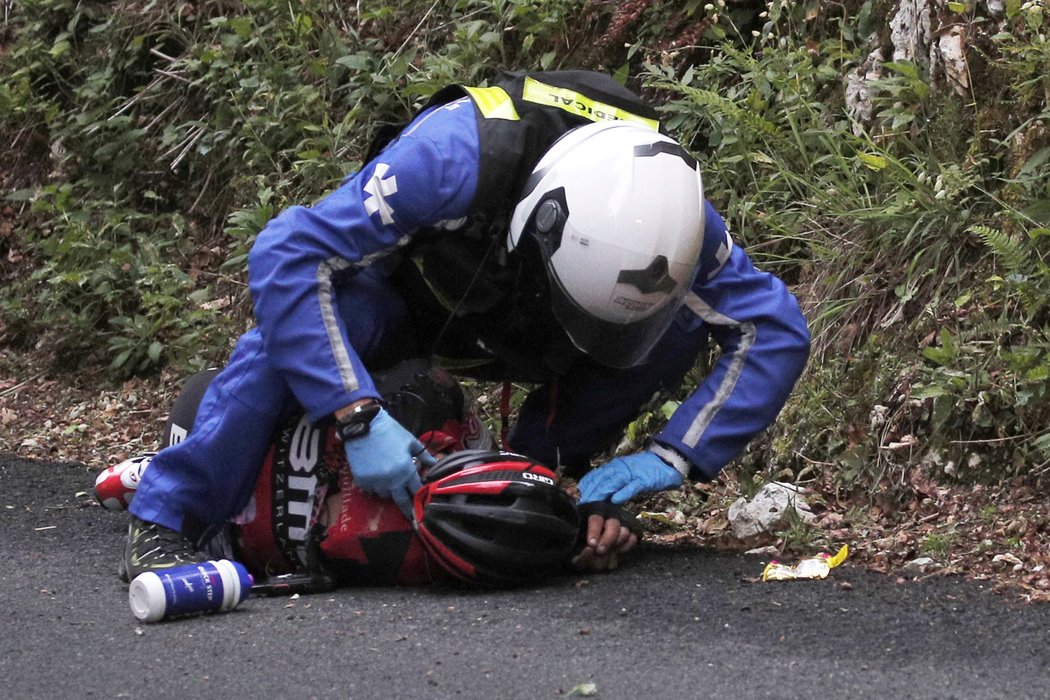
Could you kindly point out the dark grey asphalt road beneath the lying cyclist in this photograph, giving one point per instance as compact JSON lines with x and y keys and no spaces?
{"x":670,"y":624}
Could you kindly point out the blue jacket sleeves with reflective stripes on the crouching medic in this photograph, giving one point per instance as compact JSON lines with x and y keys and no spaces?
{"x":427,"y":180}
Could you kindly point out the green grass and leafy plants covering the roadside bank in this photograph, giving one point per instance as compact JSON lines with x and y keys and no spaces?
{"x":152,"y":142}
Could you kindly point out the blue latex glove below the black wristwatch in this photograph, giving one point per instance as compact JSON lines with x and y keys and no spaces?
{"x":387,"y":461}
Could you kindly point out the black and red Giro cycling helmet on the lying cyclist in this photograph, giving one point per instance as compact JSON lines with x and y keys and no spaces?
{"x":495,"y":519}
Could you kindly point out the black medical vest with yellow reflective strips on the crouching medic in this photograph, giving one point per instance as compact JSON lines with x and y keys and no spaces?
{"x":493,"y":296}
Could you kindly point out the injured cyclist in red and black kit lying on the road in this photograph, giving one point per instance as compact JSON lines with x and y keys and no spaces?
{"x":484,"y":517}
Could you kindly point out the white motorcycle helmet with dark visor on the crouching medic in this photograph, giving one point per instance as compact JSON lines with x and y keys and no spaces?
{"x":617,"y":211}
